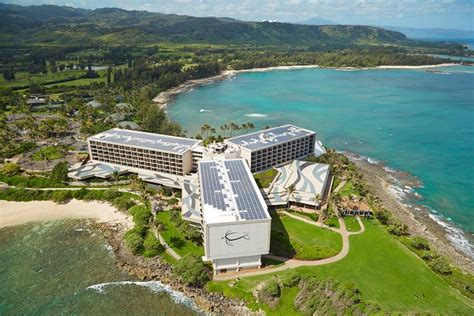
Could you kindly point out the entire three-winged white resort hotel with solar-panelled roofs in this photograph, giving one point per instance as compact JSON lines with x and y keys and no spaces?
{"x":219,"y":192}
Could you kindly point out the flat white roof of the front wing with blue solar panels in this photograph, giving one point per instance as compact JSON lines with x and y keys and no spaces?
{"x":229,"y":192}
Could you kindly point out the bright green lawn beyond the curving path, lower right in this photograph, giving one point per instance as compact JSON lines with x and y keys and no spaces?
{"x":383,"y":270}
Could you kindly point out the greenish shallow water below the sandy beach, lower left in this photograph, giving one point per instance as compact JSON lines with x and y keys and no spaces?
{"x":66,"y":268}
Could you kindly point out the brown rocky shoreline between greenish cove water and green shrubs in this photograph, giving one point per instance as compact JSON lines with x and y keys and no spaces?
{"x":148,"y":269}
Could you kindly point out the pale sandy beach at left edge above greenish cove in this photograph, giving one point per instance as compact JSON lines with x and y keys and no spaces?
{"x":16,"y":213}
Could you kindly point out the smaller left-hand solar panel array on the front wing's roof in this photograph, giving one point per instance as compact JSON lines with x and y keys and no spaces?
{"x":211,"y":185}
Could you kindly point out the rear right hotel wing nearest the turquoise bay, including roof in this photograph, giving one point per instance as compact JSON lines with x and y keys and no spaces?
{"x":275,"y":146}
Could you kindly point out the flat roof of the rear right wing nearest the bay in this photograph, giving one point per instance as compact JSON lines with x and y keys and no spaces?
{"x":269,"y":137}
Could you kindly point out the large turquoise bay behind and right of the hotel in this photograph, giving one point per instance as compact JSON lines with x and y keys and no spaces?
{"x":416,"y":121}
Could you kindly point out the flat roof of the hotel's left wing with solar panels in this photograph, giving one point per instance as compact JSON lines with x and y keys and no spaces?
{"x":172,"y":144}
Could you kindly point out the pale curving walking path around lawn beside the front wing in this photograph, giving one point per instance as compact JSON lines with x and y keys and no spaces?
{"x":294,"y":263}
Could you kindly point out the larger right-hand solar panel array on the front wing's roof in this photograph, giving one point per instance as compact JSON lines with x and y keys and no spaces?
{"x":246,"y":197}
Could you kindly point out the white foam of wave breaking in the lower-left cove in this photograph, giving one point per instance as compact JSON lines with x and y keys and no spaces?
{"x":155,"y":286}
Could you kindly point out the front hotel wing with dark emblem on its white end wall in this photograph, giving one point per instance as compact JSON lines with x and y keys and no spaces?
{"x":235,"y":218}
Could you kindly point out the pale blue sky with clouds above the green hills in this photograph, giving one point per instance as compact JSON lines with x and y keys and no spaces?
{"x":456,"y":14}
